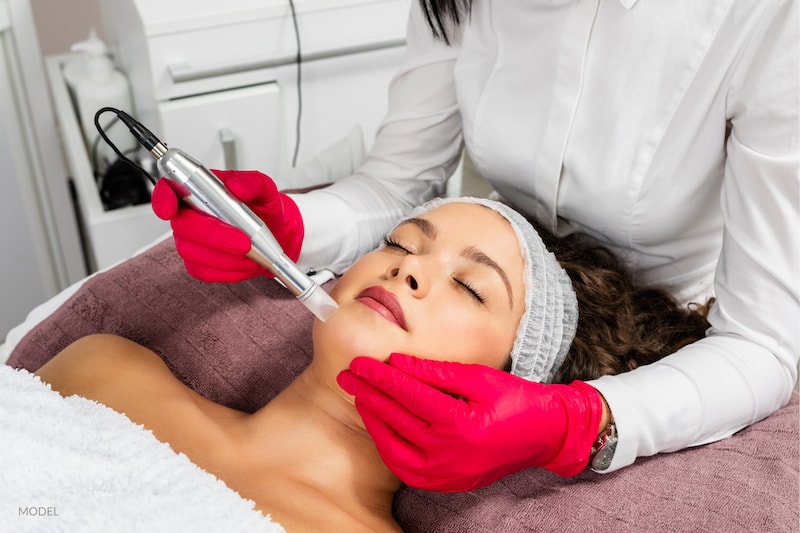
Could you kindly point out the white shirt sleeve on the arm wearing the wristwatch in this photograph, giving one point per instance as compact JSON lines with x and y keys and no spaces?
{"x":746,"y":367}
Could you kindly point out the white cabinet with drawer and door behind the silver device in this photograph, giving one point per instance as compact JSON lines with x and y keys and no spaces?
{"x":220,"y":79}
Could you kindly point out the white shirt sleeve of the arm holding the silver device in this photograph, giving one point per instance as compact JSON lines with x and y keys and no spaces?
{"x":416,"y":149}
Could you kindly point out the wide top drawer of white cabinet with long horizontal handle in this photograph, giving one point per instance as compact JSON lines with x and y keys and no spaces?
{"x":183,"y":48}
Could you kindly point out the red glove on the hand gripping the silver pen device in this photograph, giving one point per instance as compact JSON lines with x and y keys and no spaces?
{"x":215,"y":251}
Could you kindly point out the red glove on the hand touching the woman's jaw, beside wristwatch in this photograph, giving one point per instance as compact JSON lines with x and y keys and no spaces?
{"x":453,"y":427}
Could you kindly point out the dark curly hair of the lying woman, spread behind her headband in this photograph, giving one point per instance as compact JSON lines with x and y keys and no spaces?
{"x":620,"y":325}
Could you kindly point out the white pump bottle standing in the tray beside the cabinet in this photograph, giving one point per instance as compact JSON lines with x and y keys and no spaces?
{"x":102,"y":85}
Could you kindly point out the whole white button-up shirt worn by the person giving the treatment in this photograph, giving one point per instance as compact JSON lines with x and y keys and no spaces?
{"x":669,"y":130}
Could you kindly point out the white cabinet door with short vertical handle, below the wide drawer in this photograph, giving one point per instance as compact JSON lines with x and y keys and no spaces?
{"x":233,"y":129}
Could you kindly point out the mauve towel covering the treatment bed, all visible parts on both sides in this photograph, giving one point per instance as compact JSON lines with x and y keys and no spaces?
{"x":239,"y":344}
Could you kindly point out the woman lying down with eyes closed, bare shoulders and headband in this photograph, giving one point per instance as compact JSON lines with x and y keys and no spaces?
{"x":465,"y":280}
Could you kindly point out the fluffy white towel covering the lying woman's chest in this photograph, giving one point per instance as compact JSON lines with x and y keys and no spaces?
{"x":73,"y":465}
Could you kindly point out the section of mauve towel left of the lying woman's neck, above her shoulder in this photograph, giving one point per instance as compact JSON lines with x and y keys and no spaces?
{"x":238,"y":344}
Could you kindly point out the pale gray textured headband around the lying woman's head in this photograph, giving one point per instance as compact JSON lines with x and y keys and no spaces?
{"x":548,"y":324}
